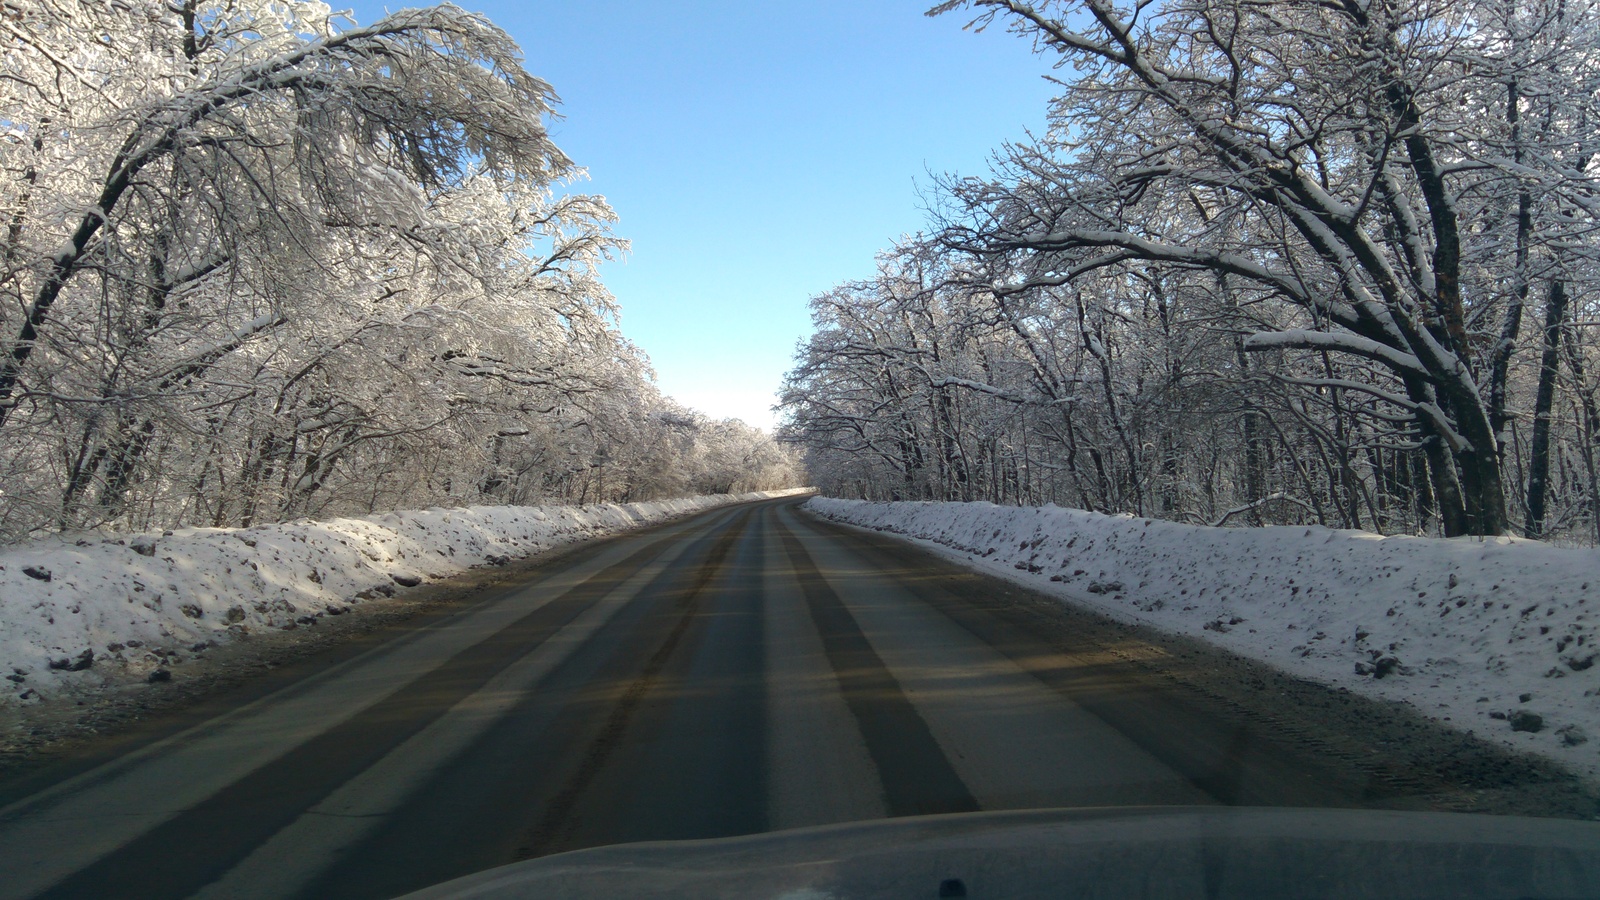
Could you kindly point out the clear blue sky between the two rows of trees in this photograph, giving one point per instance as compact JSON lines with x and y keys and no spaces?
{"x":761,"y":153}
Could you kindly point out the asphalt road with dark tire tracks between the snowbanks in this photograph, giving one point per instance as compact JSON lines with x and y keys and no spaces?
{"x":746,"y":670}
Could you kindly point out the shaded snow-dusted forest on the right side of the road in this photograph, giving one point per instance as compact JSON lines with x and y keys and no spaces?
{"x":1305,"y":262}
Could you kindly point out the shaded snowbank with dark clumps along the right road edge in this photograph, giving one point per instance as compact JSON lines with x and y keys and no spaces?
{"x":1497,"y":637}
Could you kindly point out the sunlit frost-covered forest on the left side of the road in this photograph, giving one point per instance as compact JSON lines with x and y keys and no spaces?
{"x":265,"y":263}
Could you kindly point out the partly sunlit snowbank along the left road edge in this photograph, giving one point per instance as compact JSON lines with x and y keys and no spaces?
{"x":79,"y":611}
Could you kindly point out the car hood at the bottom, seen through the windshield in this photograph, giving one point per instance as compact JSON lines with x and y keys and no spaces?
{"x":1095,"y":853}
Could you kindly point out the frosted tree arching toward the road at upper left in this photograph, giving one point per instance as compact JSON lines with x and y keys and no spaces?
{"x":418,"y":95}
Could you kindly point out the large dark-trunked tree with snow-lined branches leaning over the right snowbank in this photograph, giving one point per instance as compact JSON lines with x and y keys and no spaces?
{"x":1330,"y":155}
